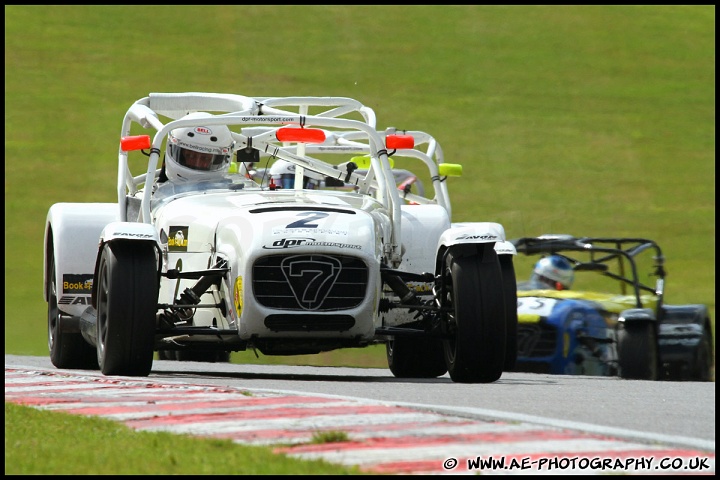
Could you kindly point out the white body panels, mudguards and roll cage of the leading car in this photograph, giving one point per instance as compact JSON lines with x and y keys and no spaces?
{"x":242,"y":222}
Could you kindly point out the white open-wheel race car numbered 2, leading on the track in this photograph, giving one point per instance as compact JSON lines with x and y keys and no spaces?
{"x":198,"y":269}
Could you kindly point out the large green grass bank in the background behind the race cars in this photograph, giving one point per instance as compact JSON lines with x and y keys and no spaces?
{"x":589,"y":120}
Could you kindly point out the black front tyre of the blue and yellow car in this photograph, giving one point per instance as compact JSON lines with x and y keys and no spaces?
{"x":637,"y":351}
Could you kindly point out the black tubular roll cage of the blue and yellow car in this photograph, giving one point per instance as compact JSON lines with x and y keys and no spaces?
{"x":622,"y":250}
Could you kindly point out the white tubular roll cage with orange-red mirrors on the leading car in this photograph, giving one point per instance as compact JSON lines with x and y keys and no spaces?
{"x":275,"y":142}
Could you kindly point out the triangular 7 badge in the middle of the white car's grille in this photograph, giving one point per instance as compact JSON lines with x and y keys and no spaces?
{"x":311,"y":277}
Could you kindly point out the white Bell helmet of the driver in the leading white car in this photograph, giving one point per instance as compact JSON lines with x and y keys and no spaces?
{"x":198,"y":153}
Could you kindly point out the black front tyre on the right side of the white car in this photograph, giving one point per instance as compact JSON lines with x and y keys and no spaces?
{"x":476,"y":351}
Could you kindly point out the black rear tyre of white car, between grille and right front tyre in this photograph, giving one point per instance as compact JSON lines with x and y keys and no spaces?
{"x":416,"y":357}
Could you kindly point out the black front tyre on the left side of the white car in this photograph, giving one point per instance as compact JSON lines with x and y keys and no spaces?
{"x":127,"y":296}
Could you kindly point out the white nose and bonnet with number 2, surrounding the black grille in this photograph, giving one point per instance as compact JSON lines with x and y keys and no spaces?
{"x":241,"y":227}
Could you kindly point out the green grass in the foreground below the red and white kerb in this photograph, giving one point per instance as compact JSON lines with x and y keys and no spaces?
{"x":36,"y":443}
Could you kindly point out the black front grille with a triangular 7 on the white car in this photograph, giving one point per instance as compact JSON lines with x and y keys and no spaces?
{"x":310,"y":282}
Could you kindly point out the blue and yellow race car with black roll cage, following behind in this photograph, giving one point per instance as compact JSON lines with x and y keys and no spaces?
{"x":629,"y":333}
